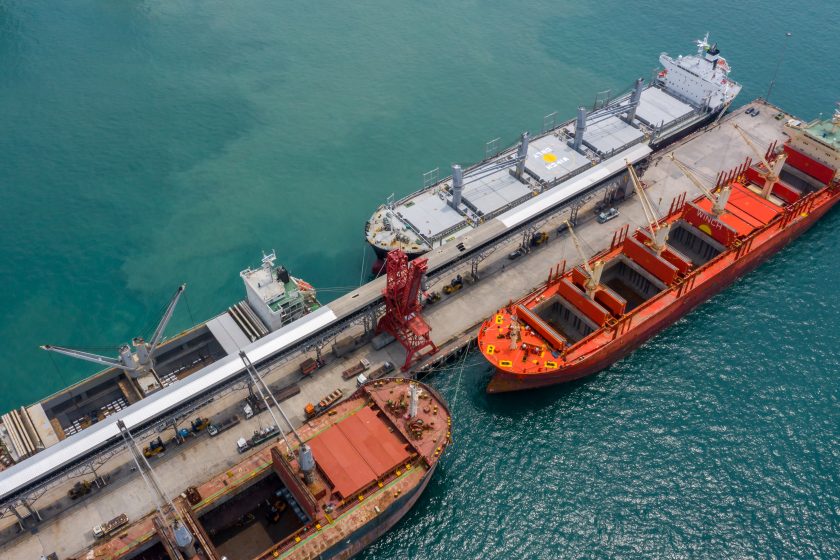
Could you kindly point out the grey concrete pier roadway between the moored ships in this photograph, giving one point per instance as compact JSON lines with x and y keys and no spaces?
{"x":67,"y":530}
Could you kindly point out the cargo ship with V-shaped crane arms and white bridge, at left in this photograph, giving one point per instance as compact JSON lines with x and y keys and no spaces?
{"x":275,"y":299}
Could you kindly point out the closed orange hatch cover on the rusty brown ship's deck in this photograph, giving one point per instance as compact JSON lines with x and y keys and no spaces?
{"x":357,"y":452}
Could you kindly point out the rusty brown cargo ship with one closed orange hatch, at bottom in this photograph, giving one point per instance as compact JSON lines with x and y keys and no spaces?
{"x":326,"y":491}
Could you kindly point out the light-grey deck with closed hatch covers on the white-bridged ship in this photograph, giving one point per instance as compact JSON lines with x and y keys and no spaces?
{"x":425,"y":219}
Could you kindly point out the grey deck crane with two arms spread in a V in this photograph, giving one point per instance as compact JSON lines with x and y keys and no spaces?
{"x":137,"y":363}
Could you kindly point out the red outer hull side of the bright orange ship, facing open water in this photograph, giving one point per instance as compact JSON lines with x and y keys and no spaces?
{"x":505,"y":381}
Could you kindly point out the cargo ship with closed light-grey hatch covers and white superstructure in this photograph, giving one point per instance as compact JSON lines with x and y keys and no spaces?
{"x":687,"y":93}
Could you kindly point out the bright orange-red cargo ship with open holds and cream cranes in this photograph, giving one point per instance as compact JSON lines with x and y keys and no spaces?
{"x":584,"y":319}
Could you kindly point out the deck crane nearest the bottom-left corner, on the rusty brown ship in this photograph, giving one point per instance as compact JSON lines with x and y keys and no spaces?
{"x":173,"y":530}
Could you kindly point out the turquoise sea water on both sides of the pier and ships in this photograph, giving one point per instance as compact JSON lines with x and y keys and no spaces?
{"x":148,"y":143}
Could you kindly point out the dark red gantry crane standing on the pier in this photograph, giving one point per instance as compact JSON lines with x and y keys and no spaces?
{"x":402,"y":318}
